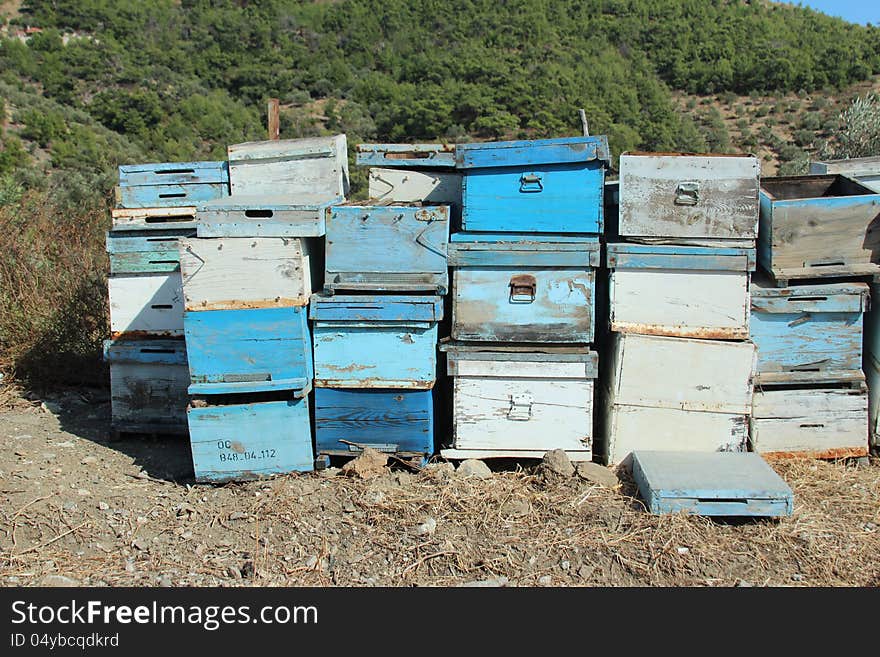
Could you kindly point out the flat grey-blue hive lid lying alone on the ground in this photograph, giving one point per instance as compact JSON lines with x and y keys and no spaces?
{"x":710,"y":484}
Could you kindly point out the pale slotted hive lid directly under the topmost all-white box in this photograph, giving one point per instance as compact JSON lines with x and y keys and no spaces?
{"x":264,"y":216}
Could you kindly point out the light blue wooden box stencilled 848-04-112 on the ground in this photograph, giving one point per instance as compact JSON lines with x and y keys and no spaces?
{"x":235,"y":442}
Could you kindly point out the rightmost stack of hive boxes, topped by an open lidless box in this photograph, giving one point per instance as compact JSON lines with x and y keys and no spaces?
{"x":811,"y":398}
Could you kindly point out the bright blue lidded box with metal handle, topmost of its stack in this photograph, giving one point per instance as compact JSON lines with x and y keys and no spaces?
{"x":545,"y":185}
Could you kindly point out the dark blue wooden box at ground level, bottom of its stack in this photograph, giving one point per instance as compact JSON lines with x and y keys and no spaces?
{"x":395,"y":421}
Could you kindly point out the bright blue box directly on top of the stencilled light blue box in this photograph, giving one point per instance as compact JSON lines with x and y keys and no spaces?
{"x":248,"y":350}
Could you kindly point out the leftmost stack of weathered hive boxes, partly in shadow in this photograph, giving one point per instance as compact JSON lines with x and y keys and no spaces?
{"x":146,"y":352}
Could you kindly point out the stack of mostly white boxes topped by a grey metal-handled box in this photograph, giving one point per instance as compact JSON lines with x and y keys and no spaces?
{"x":679,"y":374}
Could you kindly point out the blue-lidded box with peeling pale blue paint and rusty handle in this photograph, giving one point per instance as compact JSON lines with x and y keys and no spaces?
{"x":522,"y":288}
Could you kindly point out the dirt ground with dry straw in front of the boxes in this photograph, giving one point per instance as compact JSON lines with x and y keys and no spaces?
{"x":79,"y":508}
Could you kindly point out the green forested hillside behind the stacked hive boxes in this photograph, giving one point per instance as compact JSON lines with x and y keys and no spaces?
{"x":88,"y":84}
